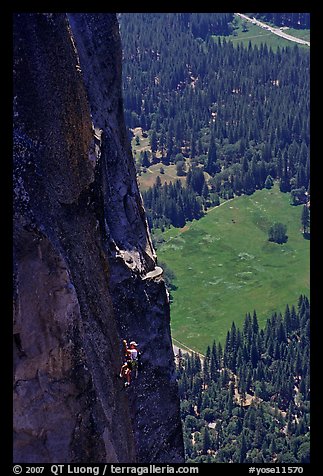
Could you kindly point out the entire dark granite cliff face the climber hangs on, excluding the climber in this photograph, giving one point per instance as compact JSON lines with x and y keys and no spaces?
{"x":85,"y":271}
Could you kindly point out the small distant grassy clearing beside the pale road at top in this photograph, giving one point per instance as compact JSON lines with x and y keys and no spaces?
{"x":257,"y":35}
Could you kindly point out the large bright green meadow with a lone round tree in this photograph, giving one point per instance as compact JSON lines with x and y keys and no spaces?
{"x":225,"y":267}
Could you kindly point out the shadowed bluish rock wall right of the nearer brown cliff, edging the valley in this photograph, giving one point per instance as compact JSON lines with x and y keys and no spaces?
{"x":141,"y":305}
